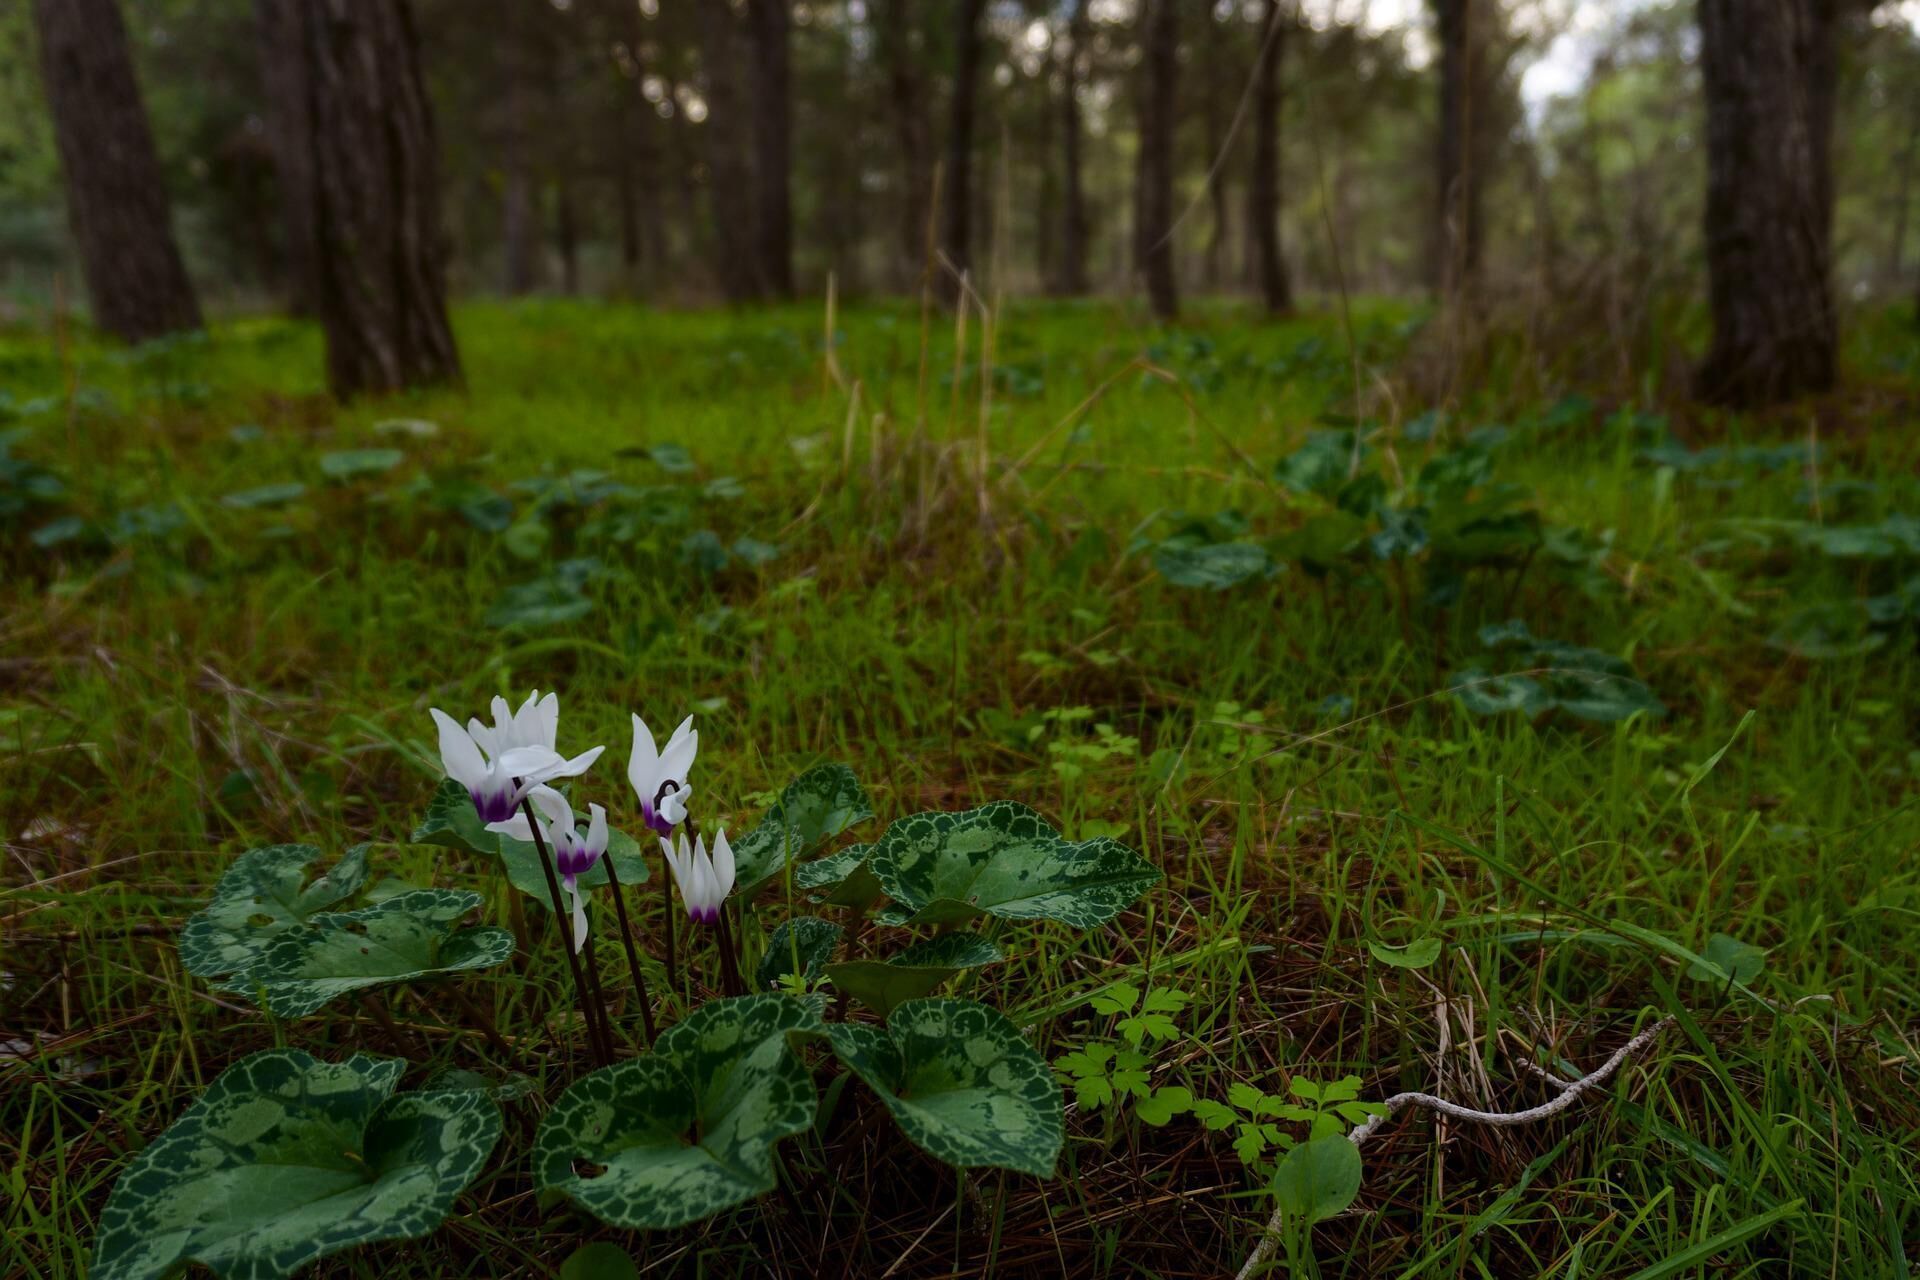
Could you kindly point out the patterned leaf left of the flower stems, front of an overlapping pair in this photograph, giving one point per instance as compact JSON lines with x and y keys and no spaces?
{"x":402,"y":939}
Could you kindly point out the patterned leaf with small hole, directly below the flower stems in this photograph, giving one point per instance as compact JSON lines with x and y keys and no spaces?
{"x":619,"y":1145}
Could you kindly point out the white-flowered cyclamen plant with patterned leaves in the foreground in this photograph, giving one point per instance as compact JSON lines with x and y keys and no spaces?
{"x":675,"y":1131}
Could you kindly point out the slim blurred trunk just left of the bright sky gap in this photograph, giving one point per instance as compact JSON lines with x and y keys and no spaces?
{"x":1458,"y":179}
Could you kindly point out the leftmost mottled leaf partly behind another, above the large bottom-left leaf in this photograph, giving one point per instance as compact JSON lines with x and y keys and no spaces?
{"x":262,"y":897}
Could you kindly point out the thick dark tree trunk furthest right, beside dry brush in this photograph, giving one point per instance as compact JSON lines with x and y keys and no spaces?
{"x":1767,"y":72}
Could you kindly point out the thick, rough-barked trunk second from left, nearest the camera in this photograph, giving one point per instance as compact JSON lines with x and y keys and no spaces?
{"x":381,"y":283}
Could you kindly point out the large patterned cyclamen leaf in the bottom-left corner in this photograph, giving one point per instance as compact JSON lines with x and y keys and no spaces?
{"x":287,"y":1160}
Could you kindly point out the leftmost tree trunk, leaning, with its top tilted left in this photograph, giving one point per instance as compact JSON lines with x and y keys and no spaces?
{"x":116,"y":191}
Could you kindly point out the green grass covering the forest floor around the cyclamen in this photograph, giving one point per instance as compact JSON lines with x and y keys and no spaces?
{"x":247,"y":676}
